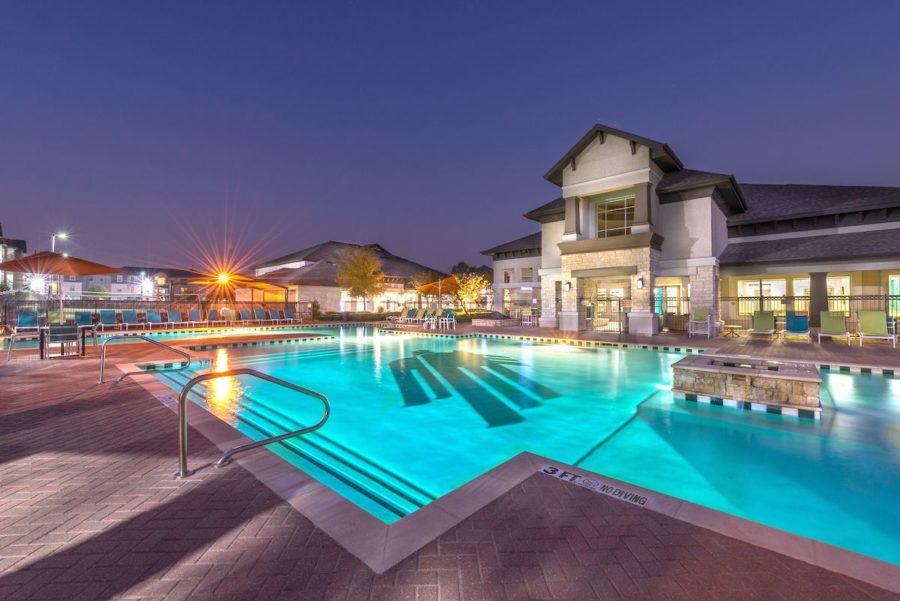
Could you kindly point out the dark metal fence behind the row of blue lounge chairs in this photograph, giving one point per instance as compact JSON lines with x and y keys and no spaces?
{"x":48,"y":310}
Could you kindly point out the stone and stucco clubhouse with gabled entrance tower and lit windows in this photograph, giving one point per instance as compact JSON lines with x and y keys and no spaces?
{"x":635,"y":241}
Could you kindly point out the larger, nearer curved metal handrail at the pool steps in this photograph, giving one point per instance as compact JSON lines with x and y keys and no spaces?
{"x":225,"y":459}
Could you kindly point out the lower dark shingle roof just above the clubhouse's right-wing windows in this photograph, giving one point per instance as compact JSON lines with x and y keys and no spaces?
{"x":874,"y":243}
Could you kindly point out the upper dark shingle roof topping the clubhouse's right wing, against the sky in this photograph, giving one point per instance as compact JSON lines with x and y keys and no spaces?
{"x":772,"y":202}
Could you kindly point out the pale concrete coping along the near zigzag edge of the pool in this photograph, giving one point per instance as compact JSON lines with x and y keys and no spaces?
{"x":382,"y":546}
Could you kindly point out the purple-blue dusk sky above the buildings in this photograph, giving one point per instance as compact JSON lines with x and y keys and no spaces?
{"x":147,"y":129}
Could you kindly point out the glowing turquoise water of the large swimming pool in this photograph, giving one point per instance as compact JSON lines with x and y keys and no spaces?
{"x":414,"y":418}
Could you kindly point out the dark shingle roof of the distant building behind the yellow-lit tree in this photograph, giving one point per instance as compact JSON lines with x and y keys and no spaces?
{"x":322,"y":272}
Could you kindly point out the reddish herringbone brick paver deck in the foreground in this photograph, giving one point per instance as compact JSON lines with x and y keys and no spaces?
{"x":89,"y":510}
